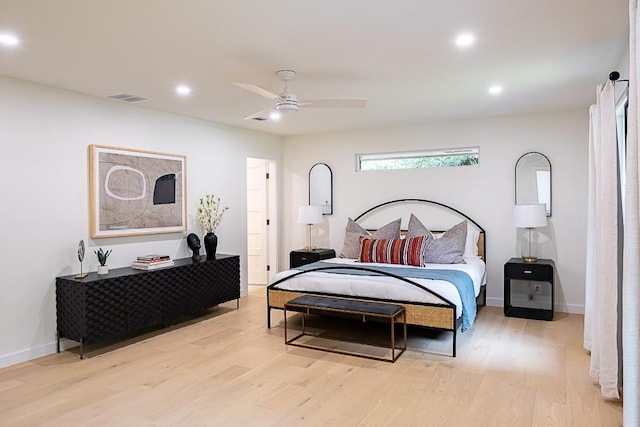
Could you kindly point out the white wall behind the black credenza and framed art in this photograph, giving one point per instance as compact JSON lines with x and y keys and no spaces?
{"x":45,"y":133}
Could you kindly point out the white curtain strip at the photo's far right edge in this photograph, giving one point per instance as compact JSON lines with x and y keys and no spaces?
{"x":631,"y":265}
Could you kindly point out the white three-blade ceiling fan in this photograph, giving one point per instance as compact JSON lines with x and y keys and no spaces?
{"x":287,"y":101}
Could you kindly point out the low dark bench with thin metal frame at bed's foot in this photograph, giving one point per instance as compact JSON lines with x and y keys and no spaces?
{"x":316,"y":304}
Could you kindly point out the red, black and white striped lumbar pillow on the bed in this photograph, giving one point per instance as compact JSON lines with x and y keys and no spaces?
{"x":393,"y":251}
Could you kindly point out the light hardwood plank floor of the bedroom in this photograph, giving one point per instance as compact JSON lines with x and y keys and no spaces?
{"x":227,"y":369}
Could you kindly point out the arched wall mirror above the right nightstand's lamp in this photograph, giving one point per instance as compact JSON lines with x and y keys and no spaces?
{"x":533,"y":180}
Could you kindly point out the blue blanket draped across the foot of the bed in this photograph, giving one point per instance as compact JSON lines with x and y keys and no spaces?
{"x":459,"y":279}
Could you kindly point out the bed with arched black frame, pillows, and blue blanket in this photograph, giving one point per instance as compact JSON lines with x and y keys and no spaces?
{"x":435,"y":294}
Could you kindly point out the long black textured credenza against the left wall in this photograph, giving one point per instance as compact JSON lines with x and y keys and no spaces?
{"x":126,"y":300}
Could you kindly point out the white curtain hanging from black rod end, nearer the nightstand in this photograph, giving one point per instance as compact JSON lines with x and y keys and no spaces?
{"x":601,"y":287}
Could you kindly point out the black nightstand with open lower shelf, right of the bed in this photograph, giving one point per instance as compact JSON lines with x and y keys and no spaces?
{"x":528,"y":289}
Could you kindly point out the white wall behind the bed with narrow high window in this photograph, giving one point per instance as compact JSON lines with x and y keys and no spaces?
{"x":485,"y":192}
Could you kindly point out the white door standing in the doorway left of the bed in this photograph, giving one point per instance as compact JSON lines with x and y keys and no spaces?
{"x":257,"y":207}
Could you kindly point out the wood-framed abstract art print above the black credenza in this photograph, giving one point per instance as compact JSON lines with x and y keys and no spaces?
{"x":134,"y":192}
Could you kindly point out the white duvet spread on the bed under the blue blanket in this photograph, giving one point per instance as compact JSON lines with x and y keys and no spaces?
{"x":382,"y":287}
